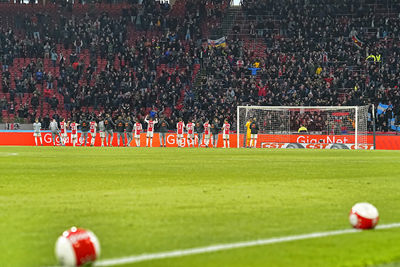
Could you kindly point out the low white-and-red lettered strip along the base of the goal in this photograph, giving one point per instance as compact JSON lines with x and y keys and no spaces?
{"x":316,"y":146}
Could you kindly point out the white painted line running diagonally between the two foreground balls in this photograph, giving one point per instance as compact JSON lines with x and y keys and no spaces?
{"x":228,"y":246}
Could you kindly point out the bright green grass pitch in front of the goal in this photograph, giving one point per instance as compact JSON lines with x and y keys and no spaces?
{"x":139,"y":200}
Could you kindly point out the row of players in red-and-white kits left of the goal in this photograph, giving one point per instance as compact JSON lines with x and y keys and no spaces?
{"x":127,"y":131}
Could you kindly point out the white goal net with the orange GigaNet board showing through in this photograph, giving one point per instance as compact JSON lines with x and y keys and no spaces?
{"x":305,"y":127}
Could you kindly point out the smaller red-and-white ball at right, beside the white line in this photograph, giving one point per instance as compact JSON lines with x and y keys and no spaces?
{"x":363,"y":216}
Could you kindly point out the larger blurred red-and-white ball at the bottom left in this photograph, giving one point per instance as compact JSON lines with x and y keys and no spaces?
{"x":77,"y":247}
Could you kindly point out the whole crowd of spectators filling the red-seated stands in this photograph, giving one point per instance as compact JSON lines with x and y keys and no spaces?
{"x":309,"y":58}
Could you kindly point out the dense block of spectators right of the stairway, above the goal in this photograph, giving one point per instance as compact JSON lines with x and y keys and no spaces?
{"x":310,"y":58}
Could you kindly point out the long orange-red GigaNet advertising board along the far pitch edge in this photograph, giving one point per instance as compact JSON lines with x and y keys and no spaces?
{"x":392,"y":142}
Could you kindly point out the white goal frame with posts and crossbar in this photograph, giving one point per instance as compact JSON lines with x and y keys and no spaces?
{"x":322,"y":108}
